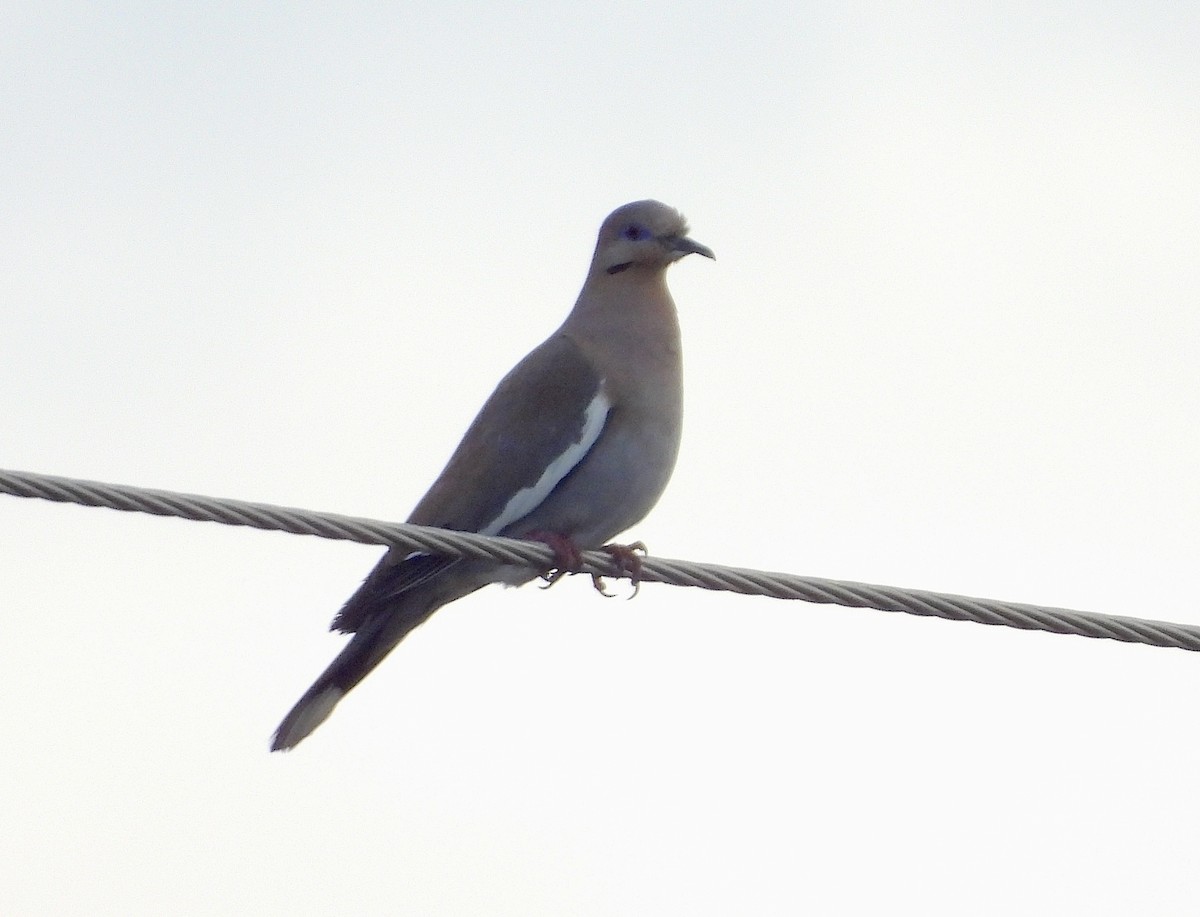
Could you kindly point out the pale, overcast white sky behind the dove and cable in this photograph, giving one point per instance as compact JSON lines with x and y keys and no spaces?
{"x":951,"y":341}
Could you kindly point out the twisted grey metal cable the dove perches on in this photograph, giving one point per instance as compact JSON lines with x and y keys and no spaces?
{"x":655,"y":570}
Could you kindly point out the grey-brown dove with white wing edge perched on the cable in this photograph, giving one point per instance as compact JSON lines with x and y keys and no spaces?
{"x":574,"y":447}
